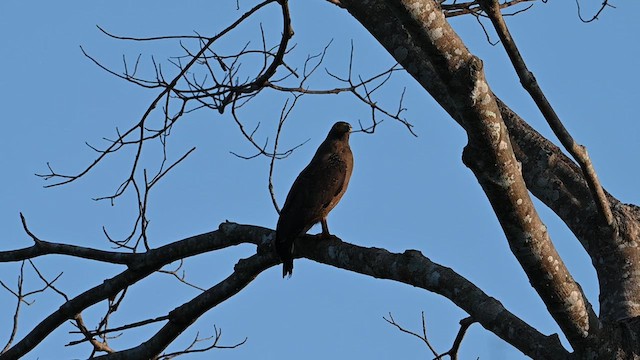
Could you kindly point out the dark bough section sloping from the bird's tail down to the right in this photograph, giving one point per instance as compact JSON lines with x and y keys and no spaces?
{"x":413,"y":268}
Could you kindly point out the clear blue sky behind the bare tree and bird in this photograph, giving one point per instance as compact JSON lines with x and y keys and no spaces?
{"x":406,"y":192}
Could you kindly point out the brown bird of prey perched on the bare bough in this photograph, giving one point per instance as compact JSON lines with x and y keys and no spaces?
{"x":315,"y":192}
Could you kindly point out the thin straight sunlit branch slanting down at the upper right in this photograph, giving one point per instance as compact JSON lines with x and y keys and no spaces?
{"x":529,"y":82}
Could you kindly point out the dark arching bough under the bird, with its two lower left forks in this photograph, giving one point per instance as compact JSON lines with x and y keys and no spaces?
{"x":410,"y":267}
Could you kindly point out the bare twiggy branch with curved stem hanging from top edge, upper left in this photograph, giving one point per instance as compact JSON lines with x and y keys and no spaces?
{"x":225,"y":93}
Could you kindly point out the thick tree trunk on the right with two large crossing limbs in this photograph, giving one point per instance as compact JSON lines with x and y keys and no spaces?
{"x":509,"y":159}
